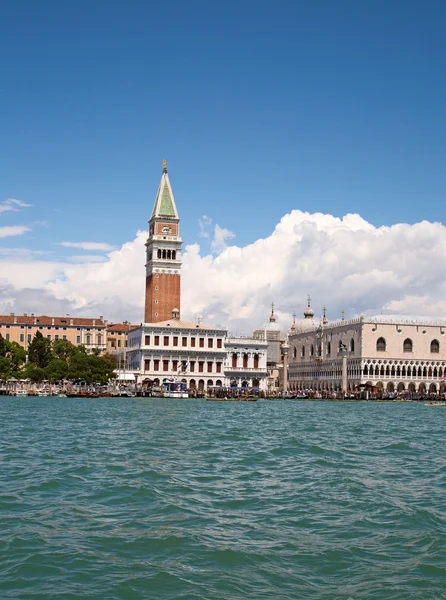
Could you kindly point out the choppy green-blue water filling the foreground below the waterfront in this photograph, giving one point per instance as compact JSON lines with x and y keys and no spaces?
{"x":141,"y":498}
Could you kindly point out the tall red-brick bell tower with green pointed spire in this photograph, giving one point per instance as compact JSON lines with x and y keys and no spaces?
{"x":163,"y":256}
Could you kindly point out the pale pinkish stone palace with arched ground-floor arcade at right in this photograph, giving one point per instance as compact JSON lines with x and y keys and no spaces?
{"x":395,"y":354}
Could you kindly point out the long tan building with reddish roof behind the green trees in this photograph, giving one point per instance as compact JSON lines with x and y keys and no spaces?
{"x":87,"y":332}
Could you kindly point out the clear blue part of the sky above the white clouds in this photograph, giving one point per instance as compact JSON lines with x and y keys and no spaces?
{"x":258,"y":107}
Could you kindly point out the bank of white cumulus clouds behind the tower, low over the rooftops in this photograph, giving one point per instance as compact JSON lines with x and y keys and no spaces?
{"x":343,"y":263}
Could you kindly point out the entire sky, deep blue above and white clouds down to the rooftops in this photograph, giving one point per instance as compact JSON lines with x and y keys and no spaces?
{"x":305,"y":144}
